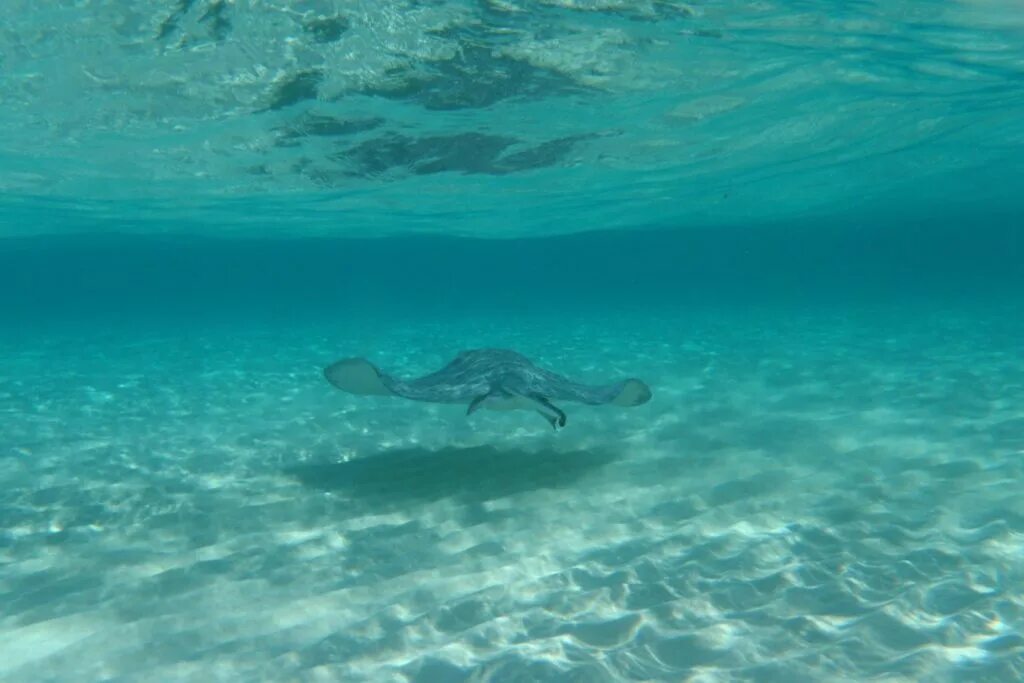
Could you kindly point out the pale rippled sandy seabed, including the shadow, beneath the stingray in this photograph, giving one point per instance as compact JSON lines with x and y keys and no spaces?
{"x":808,"y":498}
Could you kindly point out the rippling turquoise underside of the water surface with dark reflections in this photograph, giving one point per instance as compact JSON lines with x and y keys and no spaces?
{"x":501,"y":118}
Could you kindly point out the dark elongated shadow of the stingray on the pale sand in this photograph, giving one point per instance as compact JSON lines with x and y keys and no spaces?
{"x":467,"y":475}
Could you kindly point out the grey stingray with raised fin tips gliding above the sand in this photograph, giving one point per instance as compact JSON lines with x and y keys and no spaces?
{"x":492,"y":379}
